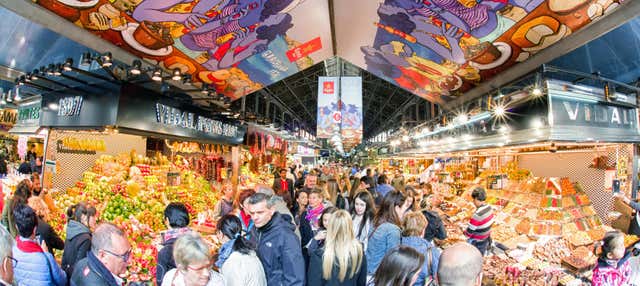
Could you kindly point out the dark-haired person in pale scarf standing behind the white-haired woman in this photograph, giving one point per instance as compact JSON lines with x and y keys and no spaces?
{"x":176,"y":218}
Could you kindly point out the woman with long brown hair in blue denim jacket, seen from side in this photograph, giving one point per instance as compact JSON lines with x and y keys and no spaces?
{"x":386,"y":228}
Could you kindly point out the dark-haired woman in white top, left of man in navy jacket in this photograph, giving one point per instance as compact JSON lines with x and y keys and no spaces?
{"x":237,"y":258}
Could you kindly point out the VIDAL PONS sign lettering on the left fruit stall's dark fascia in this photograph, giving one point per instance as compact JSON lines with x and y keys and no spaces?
{"x":171,"y":116}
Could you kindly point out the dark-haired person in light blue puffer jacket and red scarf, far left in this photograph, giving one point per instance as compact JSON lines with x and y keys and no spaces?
{"x":36,"y":265}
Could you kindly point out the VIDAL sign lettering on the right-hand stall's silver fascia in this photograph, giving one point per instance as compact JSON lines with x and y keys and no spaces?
{"x":568,"y":112}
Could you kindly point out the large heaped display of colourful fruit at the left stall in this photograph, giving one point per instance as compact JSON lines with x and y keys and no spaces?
{"x":132,"y":192}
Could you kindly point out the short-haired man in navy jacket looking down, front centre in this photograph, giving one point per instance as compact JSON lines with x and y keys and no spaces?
{"x":278,"y":247}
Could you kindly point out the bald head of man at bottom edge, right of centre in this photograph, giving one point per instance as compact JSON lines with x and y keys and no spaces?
{"x":460,"y":265}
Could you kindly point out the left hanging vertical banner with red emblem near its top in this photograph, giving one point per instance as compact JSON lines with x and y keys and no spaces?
{"x":329,"y":115}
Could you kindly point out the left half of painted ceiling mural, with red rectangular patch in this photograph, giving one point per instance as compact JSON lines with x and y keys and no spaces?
{"x":235,"y":46}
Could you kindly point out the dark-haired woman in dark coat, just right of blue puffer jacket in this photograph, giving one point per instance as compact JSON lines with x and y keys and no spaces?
{"x":81,"y":218}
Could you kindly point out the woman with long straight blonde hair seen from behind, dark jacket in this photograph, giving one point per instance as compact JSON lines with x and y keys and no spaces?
{"x":341,"y":260}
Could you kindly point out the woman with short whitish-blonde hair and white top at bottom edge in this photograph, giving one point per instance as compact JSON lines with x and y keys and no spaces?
{"x":193,"y":261}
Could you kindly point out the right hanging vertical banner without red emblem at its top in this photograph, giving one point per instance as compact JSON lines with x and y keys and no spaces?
{"x":351,"y":98}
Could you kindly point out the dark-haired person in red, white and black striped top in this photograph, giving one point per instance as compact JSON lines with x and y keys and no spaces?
{"x":479,"y":229}
